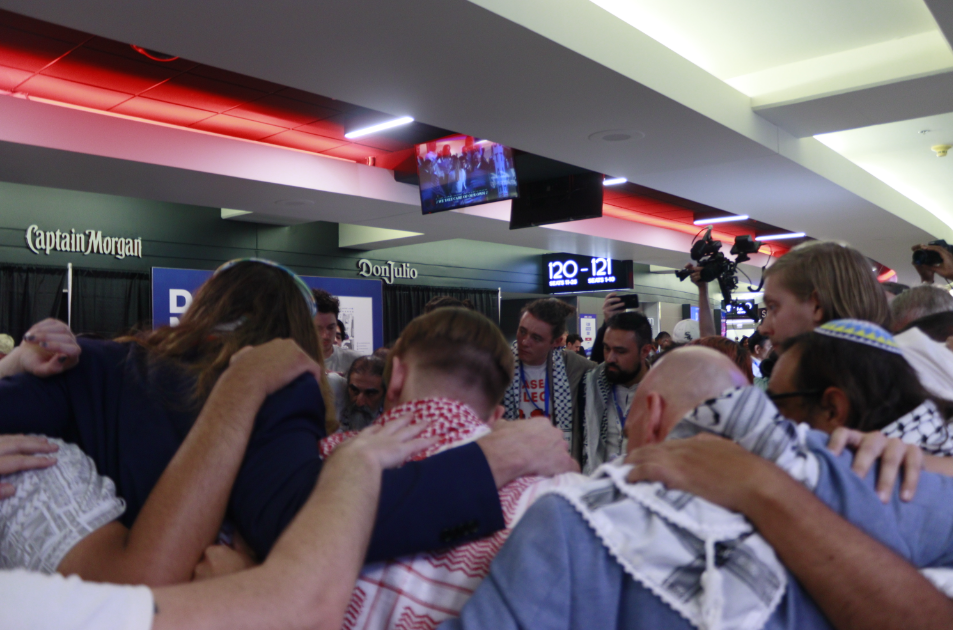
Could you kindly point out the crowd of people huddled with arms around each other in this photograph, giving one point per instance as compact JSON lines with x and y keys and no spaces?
{"x":246,"y":469}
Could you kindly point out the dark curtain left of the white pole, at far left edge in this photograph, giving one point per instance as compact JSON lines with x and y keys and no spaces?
{"x":29,"y":294}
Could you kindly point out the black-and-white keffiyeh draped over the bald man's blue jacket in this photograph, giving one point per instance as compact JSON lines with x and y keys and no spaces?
{"x":705,"y":562}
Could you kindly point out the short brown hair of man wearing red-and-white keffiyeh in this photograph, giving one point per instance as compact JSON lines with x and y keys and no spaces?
{"x":458,"y":342}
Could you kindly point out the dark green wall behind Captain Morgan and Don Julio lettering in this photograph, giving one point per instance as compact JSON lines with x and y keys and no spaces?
{"x":195,"y":237}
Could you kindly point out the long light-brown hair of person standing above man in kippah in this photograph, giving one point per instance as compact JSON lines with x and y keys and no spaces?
{"x":840,"y":277}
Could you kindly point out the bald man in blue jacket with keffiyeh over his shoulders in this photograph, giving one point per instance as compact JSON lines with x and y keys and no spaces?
{"x":583,"y":561}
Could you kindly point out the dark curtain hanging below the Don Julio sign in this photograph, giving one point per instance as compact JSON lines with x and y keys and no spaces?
{"x":402,"y":303}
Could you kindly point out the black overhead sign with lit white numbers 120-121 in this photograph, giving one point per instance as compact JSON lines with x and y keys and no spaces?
{"x":570,"y":273}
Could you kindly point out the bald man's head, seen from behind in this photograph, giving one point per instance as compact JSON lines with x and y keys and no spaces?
{"x":681,"y":381}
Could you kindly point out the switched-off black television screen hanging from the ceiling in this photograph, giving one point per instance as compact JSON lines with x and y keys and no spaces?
{"x":554,"y":192}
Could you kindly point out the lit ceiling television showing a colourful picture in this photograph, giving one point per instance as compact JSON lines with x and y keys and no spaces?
{"x":459,"y":171}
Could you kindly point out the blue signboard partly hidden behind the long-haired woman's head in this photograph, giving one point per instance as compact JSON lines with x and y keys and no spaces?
{"x":362,"y":302}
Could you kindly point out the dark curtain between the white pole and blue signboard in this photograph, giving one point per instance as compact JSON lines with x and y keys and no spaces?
{"x":109,"y":303}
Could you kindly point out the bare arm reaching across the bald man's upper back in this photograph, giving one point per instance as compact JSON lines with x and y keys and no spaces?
{"x":856,"y":581}
